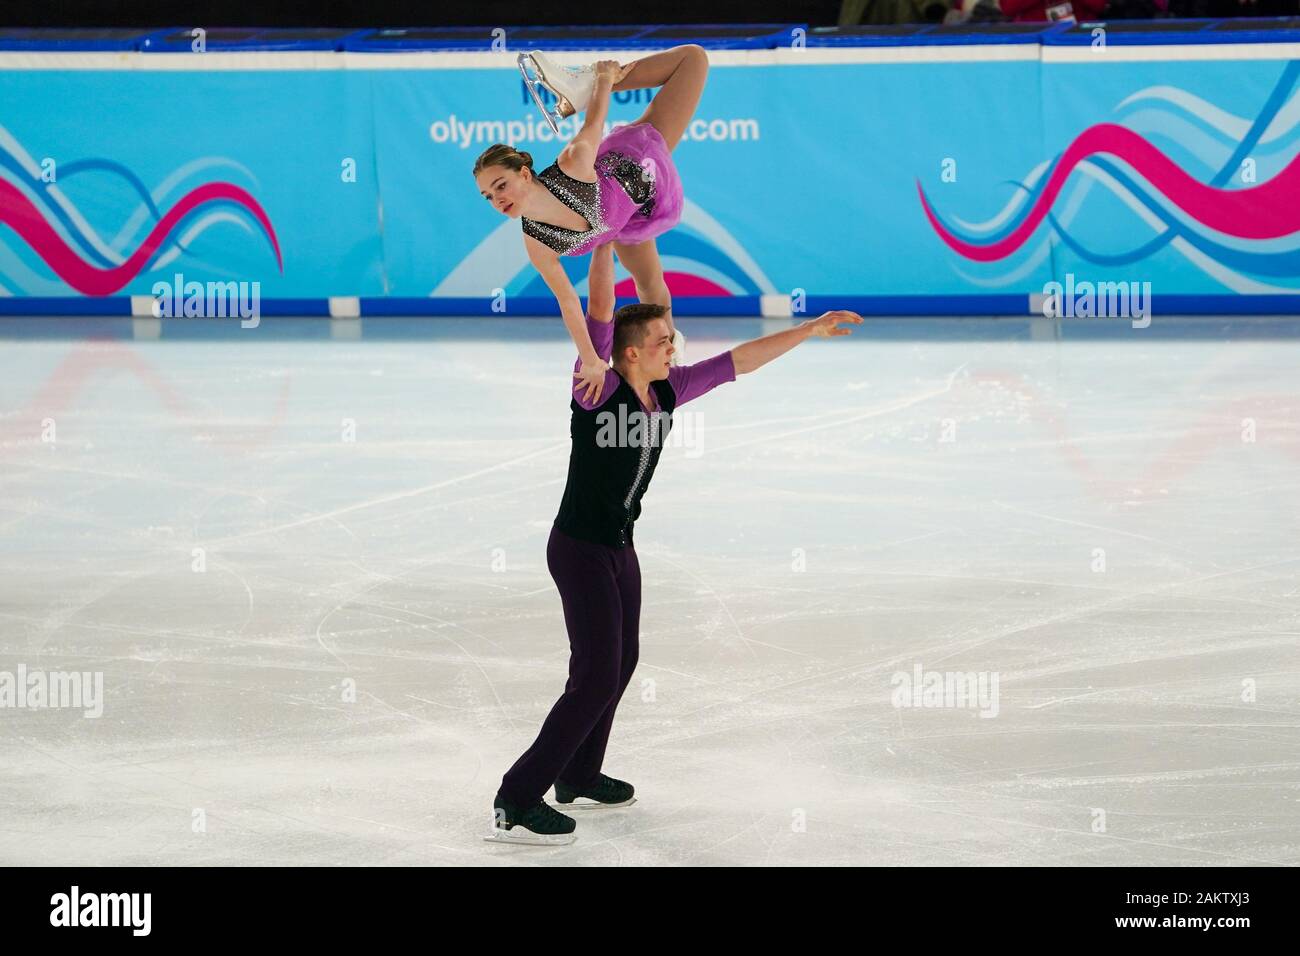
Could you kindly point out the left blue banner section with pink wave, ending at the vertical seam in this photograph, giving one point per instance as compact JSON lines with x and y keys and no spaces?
{"x":115,"y":180}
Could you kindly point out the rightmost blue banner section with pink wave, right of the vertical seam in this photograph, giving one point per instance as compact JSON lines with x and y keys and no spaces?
{"x":1185,"y":174}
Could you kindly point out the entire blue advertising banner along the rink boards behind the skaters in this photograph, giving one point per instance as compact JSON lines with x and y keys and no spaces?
{"x":963,"y":178}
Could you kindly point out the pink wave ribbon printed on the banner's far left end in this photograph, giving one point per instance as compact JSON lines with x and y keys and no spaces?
{"x":25,"y":219}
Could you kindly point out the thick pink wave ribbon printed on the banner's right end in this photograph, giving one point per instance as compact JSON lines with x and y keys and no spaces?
{"x":1267,"y":211}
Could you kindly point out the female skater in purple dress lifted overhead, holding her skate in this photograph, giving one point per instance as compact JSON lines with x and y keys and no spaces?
{"x":622,"y":189}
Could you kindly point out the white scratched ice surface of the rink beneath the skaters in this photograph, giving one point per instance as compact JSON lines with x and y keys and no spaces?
{"x":1107,"y":526}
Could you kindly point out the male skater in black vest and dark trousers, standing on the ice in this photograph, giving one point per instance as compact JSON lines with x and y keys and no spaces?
{"x":591,"y":551}
